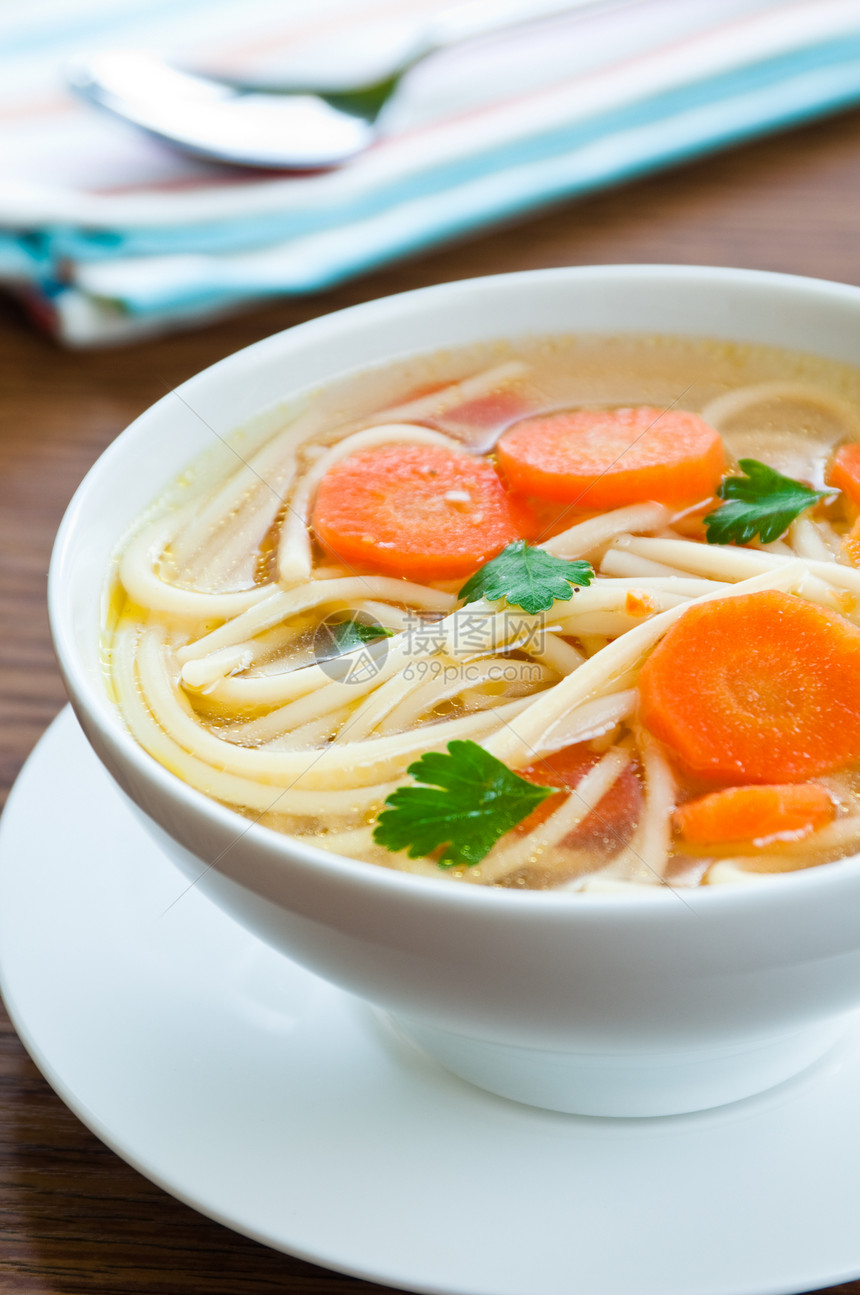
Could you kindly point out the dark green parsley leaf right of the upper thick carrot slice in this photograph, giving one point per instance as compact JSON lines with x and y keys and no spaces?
{"x":762,"y":503}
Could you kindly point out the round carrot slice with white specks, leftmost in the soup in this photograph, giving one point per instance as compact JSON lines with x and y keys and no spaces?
{"x":422,"y":512}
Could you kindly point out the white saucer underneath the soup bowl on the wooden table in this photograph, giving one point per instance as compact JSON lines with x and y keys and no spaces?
{"x":284,"y":1109}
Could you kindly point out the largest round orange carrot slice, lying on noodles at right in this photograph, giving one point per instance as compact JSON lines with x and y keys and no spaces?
{"x":760,"y":688}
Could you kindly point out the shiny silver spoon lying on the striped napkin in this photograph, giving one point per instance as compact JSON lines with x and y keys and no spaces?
{"x":280,"y":128}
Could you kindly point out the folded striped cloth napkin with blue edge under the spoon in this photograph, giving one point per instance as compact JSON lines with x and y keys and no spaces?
{"x":109,"y":236}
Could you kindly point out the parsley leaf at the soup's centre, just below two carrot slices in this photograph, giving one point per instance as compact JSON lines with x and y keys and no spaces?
{"x":526,"y":578}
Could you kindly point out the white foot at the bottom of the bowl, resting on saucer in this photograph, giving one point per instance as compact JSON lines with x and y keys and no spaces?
{"x":626,"y":1085}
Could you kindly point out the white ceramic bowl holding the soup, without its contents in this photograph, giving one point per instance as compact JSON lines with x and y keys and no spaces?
{"x":599,"y":1006}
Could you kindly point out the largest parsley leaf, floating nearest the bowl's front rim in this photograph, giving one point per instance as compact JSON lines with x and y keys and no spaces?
{"x":471,"y":801}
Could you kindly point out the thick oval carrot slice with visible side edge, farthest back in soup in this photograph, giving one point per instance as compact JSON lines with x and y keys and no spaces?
{"x":609,"y":458}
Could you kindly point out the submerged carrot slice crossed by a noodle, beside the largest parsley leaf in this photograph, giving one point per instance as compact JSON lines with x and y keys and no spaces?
{"x":615,"y":818}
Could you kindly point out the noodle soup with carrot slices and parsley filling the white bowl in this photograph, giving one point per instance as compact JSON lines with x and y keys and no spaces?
{"x":305,"y":617}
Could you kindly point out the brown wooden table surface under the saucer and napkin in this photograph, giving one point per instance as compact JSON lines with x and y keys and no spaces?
{"x":76,"y":1221}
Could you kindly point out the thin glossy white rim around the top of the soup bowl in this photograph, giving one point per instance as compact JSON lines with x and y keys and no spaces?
{"x":291,"y":850}
